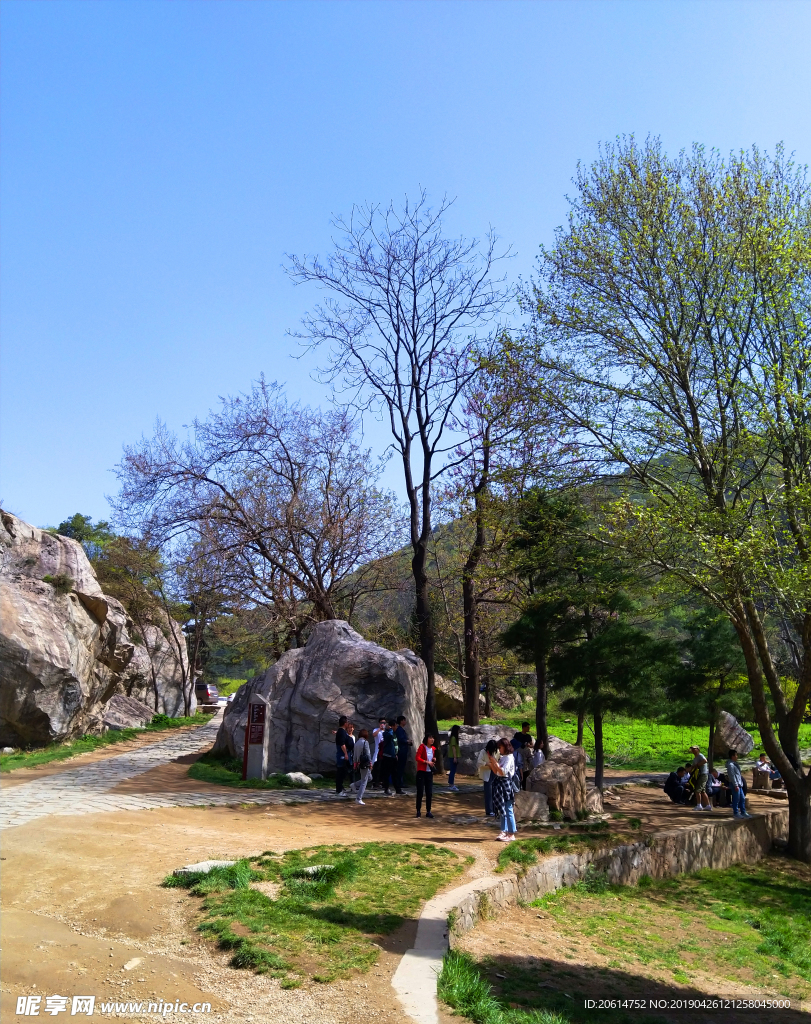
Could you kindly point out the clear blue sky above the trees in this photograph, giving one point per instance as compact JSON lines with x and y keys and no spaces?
{"x":159,"y":159}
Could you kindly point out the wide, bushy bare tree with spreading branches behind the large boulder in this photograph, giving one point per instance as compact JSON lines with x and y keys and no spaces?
{"x":285,"y":493}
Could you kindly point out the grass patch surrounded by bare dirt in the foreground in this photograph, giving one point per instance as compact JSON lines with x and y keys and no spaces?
{"x":333,"y":905}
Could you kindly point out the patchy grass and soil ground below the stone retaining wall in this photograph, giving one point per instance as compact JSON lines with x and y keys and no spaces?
{"x":679,"y":937}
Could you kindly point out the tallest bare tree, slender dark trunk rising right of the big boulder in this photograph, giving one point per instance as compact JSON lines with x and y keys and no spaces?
{"x":406,"y":314}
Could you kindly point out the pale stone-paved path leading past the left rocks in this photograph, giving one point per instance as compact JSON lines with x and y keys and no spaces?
{"x":88,"y":790}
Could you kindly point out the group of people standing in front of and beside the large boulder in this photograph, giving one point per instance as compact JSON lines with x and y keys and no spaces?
{"x":381,"y":760}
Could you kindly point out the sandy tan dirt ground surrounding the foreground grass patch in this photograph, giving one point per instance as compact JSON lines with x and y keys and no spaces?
{"x":82,"y":898}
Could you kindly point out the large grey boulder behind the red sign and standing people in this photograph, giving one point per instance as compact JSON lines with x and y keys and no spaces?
{"x":335,"y":673}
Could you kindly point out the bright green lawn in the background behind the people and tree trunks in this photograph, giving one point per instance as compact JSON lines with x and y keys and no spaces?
{"x":634,"y":744}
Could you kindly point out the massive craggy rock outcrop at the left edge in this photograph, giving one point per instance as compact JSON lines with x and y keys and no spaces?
{"x":66,"y":653}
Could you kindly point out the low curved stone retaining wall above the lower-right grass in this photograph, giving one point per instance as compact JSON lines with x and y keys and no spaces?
{"x":711,"y":844}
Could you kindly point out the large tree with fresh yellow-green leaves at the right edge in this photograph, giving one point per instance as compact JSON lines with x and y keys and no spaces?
{"x":674,"y":311}
